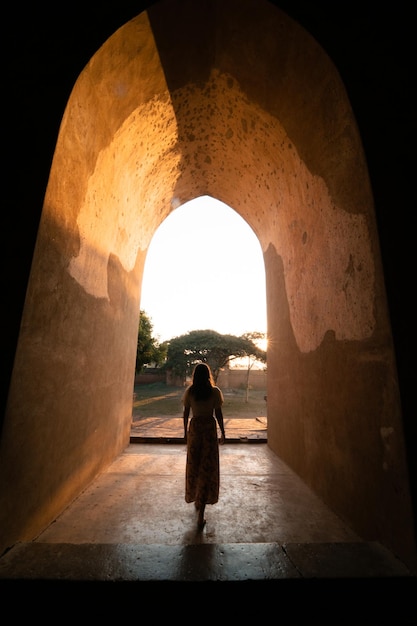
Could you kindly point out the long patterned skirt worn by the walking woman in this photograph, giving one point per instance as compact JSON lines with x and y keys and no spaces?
{"x":202,"y":473}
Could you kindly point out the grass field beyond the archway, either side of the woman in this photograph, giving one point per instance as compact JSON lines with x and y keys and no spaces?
{"x":161,"y":400}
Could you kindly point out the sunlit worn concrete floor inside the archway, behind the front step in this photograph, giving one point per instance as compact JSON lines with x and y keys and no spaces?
{"x":140,"y":500}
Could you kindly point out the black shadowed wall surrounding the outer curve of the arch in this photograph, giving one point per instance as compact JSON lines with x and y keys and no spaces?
{"x":373,"y":48}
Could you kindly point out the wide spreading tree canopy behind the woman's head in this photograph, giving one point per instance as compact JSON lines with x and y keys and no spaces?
{"x":208,"y":346}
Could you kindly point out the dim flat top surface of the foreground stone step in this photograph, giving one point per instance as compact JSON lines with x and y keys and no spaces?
{"x":199,"y":562}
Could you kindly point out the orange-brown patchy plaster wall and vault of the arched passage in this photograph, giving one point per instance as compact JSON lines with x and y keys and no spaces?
{"x":263,"y":124}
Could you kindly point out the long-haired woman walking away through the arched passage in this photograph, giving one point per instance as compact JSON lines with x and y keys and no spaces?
{"x":202,"y":473}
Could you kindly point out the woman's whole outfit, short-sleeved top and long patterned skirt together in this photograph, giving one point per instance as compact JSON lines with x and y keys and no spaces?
{"x":202,"y":473}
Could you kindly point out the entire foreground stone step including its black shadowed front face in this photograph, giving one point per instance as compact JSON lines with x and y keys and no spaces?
{"x":323,"y":584}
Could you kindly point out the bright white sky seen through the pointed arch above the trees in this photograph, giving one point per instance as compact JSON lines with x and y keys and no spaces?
{"x":204,"y":270}
